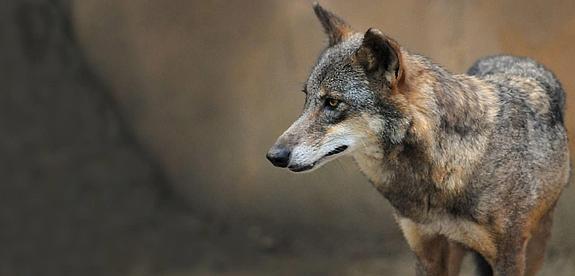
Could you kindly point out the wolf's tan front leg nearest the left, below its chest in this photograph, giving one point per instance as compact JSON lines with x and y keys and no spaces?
{"x":436,"y":256}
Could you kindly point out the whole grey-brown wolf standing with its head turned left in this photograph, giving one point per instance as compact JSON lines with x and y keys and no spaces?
{"x":470,"y":162}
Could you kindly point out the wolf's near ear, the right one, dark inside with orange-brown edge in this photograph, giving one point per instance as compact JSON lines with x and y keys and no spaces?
{"x":380,"y":56}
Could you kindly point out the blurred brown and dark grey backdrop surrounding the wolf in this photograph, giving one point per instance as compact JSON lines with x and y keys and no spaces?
{"x":133,"y":133}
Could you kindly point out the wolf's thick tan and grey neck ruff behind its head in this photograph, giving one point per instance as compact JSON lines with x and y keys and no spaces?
{"x":452,"y":117}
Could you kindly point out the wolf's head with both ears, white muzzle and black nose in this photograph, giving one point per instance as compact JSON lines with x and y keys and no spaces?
{"x":350,"y":105}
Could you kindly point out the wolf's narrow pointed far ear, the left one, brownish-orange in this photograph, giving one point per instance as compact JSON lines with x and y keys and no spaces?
{"x":335,"y":28}
